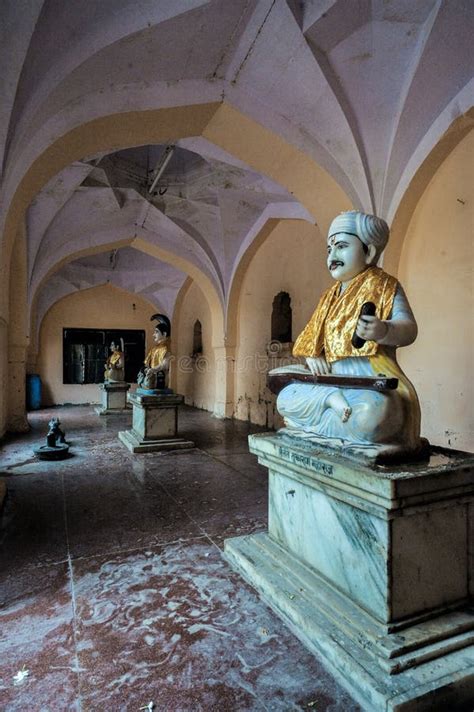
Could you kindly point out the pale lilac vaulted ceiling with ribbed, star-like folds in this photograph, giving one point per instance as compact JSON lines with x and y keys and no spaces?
{"x":365,"y":88}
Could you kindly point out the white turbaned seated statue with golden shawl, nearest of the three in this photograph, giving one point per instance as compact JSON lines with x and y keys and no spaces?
{"x":340,"y":416}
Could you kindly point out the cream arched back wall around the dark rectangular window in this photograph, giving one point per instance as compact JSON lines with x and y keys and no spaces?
{"x":104,"y":307}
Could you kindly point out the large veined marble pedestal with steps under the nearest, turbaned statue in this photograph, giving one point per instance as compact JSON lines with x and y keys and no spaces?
{"x":372,"y":568}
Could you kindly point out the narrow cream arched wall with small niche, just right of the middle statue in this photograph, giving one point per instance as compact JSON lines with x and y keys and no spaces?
{"x":195,"y":378}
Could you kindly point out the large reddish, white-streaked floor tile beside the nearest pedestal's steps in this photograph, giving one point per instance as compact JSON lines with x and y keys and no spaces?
{"x":177,"y":626}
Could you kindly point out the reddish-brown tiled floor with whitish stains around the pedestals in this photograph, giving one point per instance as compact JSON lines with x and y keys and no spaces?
{"x":113,"y":589}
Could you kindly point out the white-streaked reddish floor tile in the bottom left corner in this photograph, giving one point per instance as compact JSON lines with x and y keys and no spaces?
{"x":37,"y":634}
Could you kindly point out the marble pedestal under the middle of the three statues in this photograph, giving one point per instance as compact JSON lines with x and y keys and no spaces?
{"x":155,"y":424}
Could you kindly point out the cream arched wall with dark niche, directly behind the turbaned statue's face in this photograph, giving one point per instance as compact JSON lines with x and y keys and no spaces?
{"x":293,"y":260}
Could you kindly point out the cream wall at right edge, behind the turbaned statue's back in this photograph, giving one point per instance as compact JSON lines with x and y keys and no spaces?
{"x":436,"y":269}
